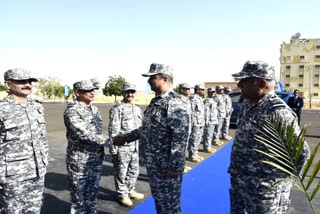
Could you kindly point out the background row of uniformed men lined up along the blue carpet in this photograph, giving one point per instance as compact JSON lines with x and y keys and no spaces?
{"x":210,"y":117}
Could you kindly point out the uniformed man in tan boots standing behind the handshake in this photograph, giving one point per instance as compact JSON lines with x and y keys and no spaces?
{"x":123,"y":118}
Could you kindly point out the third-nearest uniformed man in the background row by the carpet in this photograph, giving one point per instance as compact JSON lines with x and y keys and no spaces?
{"x":211,"y":118}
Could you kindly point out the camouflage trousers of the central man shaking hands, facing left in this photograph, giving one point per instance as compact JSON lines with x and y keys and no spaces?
{"x":166,"y":191}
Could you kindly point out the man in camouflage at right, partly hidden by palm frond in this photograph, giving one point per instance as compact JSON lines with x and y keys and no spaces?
{"x":251,"y":178}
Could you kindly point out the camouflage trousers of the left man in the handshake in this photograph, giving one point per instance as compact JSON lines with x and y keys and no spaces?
{"x":84,"y":178}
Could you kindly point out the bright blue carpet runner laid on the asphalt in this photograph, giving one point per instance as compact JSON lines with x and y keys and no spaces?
{"x":205,"y":189}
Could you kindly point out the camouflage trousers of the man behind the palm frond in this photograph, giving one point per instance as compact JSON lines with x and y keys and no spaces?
{"x":252,"y":195}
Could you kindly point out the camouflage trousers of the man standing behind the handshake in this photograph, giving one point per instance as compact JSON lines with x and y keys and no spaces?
{"x":126,"y":169}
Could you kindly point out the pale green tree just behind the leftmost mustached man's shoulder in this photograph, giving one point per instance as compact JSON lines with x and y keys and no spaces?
{"x":50,"y":87}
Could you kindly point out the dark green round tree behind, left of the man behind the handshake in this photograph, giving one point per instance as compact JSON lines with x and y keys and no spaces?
{"x":113,"y":87}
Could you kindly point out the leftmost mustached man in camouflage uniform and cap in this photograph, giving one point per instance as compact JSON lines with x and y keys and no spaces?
{"x":23,"y":146}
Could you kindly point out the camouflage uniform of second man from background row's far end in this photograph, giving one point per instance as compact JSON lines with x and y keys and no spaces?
{"x":221,"y":107}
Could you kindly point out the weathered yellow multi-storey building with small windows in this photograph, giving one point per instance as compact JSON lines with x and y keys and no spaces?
{"x":300,"y":67}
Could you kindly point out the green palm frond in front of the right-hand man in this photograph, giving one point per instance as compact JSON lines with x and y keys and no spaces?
{"x":284,"y":151}
